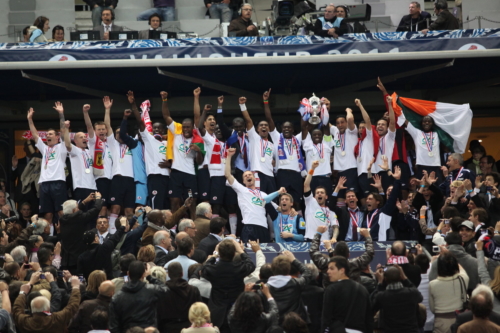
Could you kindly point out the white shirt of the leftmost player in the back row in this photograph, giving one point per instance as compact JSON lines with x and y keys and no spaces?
{"x":53,"y":161}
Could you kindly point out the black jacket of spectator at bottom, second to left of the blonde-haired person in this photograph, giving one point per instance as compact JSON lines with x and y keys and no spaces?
{"x":135,"y":305}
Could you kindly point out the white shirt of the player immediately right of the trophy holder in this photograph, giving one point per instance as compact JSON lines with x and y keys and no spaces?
{"x":344,"y":143}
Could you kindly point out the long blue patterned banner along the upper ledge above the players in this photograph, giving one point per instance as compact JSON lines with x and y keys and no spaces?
{"x":226,"y":47}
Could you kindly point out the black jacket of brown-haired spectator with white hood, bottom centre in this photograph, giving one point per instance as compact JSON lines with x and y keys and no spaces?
{"x":289,"y":296}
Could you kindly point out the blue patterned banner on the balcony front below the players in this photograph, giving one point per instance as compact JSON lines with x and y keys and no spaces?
{"x":301,"y":250}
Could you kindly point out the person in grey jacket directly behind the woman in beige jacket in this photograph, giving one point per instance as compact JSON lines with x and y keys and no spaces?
{"x":468,"y":262}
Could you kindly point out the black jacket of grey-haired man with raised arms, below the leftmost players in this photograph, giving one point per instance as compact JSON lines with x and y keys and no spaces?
{"x":72,"y":228}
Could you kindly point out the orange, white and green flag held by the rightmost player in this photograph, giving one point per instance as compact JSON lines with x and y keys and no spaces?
{"x":452,"y":122}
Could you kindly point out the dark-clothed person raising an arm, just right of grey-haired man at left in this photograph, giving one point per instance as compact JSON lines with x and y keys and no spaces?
{"x":98,"y":256}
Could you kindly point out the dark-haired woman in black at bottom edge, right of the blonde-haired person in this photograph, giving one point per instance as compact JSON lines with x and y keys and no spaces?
{"x":247,"y":314}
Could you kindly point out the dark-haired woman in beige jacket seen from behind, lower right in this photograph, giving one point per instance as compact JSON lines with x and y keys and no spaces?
{"x":448,"y":292}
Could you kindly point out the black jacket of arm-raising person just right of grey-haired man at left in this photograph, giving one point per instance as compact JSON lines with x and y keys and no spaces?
{"x":98,"y":256}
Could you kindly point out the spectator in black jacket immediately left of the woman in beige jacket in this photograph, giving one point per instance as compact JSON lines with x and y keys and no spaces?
{"x":396,"y":294}
